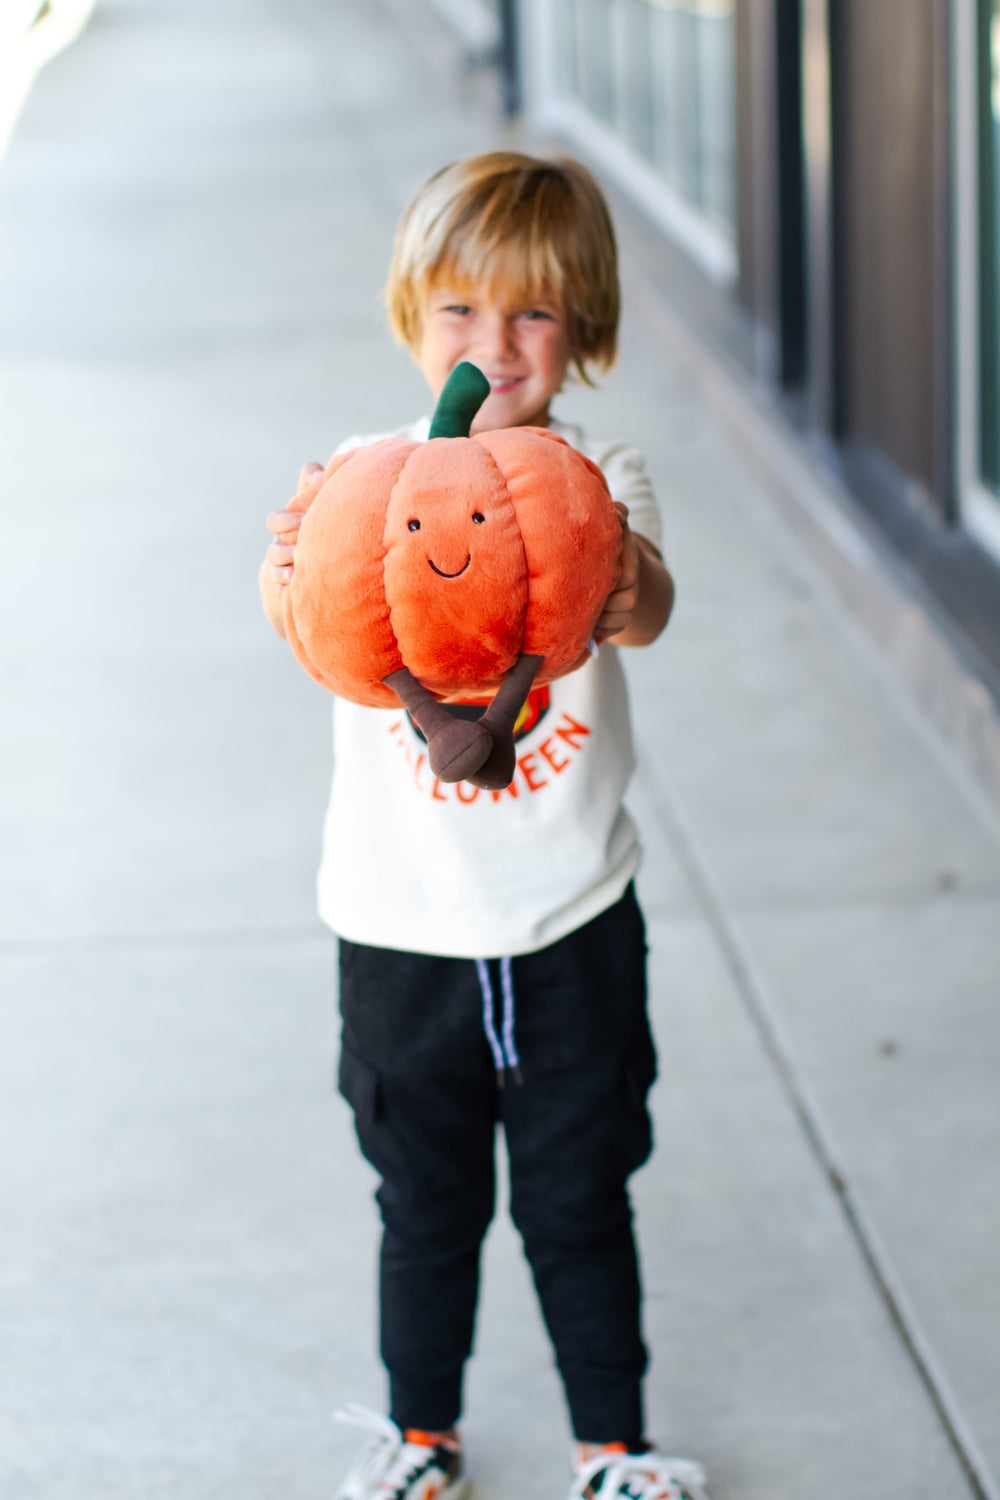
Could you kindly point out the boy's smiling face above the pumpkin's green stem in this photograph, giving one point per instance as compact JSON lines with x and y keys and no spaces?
{"x":522,"y":349}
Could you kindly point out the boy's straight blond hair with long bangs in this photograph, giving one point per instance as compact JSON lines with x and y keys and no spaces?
{"x":539,"y":227}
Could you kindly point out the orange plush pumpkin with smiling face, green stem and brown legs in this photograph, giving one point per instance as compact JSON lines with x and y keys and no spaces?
{"x":463,"y":568}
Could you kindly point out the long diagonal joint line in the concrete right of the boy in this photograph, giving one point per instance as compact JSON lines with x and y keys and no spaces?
{"x":824,"y":1147}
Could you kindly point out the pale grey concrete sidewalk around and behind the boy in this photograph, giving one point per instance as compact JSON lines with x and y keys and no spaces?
{"x":199,"y":208}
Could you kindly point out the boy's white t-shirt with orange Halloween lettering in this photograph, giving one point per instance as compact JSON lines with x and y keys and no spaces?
{"x":431,"y":868}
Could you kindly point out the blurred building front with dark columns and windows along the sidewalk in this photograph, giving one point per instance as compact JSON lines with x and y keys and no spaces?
{"x":834,"y":170}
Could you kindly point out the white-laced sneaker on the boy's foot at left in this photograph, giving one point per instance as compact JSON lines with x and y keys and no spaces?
{"x":391,"y":1468}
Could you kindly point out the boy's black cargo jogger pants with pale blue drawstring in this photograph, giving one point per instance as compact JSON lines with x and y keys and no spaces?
{"x":419,"y":1067}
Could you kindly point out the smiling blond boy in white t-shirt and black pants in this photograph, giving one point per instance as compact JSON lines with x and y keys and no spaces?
{"x":493,"y":952}
